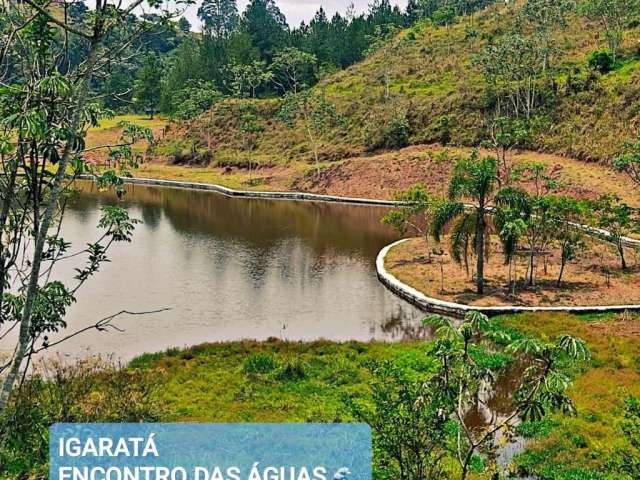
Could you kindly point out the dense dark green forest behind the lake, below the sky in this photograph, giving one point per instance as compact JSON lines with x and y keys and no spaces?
{"x":254,"y":53}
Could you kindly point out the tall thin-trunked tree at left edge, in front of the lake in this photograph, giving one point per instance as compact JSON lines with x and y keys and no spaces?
{"x":45,"y":112}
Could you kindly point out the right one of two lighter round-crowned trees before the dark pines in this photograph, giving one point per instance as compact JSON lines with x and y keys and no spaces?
{"x":292,"y":70}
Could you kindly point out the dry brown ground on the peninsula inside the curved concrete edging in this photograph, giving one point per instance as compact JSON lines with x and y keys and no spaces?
{"x":594,"y":279}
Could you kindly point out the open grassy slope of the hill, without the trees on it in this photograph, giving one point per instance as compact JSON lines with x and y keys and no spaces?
{"x":435,"y":82}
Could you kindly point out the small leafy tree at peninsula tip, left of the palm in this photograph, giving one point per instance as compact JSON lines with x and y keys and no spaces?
{"x":415,"y":214}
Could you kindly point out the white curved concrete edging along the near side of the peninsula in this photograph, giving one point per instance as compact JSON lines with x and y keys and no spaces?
{"x":434,"y":305}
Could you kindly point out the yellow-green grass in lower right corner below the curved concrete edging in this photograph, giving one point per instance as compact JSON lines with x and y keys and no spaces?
{"x":584,"y":446}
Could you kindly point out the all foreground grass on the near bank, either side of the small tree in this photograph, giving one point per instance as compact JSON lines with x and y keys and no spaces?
{"x":244,"y":382}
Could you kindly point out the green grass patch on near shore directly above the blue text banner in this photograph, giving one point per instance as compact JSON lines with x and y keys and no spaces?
{"x":217,"y":382}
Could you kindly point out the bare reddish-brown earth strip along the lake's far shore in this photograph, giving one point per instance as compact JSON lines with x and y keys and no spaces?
{"x":383,"y":175}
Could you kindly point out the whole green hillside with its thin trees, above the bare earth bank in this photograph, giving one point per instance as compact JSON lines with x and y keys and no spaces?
{"x":443,"y":84}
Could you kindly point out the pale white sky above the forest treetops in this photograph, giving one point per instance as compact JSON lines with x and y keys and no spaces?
{"x":297,"y":11}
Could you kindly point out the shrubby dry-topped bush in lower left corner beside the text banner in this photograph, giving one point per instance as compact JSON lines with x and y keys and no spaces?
{"x":89,"y":391}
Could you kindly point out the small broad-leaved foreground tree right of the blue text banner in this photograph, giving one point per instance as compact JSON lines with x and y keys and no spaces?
{"x":462,"y":379}
